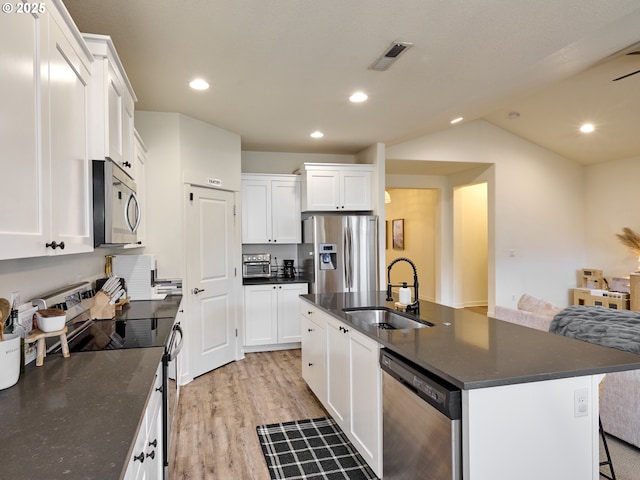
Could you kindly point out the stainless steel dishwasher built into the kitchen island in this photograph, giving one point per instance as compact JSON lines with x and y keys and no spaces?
{"x":421,"y":423}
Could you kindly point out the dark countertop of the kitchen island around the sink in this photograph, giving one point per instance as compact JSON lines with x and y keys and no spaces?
{"x":471,"y":350}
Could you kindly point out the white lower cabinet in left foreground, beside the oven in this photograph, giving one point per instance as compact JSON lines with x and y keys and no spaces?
{"x":146,"y":459}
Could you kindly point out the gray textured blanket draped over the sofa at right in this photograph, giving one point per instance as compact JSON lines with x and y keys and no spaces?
{"x":605,"y":326}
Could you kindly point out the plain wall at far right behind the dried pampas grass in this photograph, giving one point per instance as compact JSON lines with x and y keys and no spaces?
{"x":612,"y":201}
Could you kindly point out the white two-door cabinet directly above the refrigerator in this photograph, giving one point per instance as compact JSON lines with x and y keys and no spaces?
{"x":336,"y":187}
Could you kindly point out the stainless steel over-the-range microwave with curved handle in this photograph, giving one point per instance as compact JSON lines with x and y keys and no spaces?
{"x":116,"y":212}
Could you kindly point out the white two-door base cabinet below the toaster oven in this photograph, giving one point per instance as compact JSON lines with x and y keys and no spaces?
{"x":271,"y":313}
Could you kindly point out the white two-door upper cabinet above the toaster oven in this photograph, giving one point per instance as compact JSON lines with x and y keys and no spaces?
{"x":271,"y":209}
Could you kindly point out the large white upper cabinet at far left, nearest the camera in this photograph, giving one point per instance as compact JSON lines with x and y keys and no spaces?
{"x":46,"y":204}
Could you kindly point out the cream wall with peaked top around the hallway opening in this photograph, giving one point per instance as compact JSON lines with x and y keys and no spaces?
{"x":535,"y":208}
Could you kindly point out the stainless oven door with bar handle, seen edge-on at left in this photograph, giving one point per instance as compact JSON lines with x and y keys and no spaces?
{"x":171,"y":390}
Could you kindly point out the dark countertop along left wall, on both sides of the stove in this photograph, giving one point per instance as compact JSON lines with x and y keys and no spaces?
{"x":77,"y":417}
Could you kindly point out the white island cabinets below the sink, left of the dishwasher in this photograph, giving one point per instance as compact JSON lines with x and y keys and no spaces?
{"x":352,"y":382}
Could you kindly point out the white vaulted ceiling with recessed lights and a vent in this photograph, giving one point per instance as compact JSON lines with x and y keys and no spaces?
{"x":280,"y":69}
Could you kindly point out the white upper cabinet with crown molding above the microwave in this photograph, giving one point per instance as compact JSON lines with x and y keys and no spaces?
{"x":112,"y":106}
